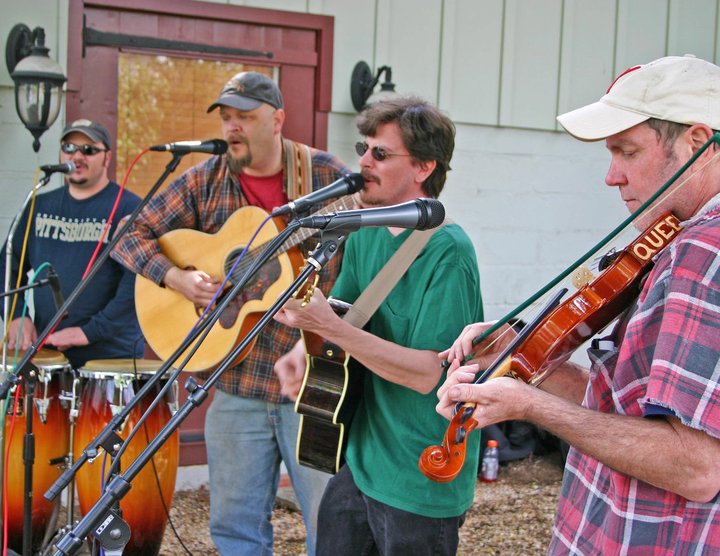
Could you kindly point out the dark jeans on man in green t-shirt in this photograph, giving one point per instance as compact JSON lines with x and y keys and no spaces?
{"x":352,"y":524}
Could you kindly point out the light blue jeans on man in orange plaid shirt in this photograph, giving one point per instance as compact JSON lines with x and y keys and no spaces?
{"x":246,"y":439}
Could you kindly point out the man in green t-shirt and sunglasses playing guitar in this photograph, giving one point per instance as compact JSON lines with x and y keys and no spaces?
{"x":379,"y":500}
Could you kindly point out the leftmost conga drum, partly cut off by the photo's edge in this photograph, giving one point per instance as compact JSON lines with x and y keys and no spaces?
{"x":51,"y":430}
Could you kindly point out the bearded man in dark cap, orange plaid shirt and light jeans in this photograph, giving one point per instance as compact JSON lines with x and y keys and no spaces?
{"x":250,"y":427}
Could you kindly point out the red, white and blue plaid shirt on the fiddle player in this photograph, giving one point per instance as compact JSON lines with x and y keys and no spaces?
{"x":667,"y":363}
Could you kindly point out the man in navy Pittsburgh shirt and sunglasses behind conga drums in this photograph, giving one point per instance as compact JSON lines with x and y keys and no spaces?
{"x":66,"y":225}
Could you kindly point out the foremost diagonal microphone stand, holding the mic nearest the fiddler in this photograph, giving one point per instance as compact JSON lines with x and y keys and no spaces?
{"x":112,"y":532}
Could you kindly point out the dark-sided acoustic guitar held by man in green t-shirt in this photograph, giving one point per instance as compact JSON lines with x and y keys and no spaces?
{"x":327,"y":400}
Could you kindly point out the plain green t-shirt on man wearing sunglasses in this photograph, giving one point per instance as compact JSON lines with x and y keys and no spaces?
{"x":427,"y":309}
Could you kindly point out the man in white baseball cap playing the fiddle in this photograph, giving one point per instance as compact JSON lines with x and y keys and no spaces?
{"x":644,"y":423}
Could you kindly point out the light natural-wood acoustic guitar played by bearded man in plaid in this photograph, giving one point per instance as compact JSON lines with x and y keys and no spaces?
{"x":166,"y":316}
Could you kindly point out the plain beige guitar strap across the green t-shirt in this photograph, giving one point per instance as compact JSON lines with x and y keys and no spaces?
{"x":370,"y":299}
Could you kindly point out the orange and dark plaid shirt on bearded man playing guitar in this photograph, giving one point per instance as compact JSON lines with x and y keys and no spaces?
{"x":202,"y":199}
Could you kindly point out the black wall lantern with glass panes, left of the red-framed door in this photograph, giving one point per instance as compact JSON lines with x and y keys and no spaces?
{"x":38,"y":79}
